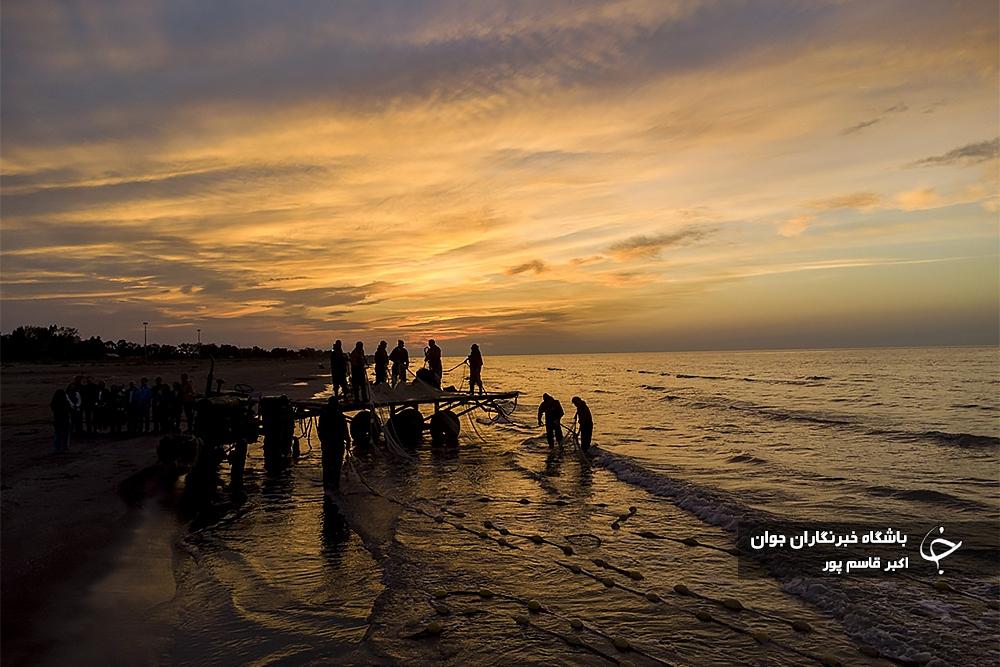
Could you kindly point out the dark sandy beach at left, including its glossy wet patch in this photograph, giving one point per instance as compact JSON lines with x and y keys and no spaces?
{"x":75,"y":554}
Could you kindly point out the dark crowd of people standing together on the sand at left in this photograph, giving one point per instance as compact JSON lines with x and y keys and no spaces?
{"x":86,"y":407}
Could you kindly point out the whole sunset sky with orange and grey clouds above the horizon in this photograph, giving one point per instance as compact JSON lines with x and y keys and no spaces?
{"x":534,"y":176}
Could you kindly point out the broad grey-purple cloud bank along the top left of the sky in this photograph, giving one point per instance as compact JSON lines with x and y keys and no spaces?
{"x":87,"y":73}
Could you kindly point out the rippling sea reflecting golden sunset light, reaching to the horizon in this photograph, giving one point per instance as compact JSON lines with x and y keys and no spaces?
{"x":507,"y":551}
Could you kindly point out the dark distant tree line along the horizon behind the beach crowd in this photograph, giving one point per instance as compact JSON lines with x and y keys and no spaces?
{"x":55,"y":343}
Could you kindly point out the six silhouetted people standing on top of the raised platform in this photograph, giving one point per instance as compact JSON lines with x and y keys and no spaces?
{"x":354,"y":367}
